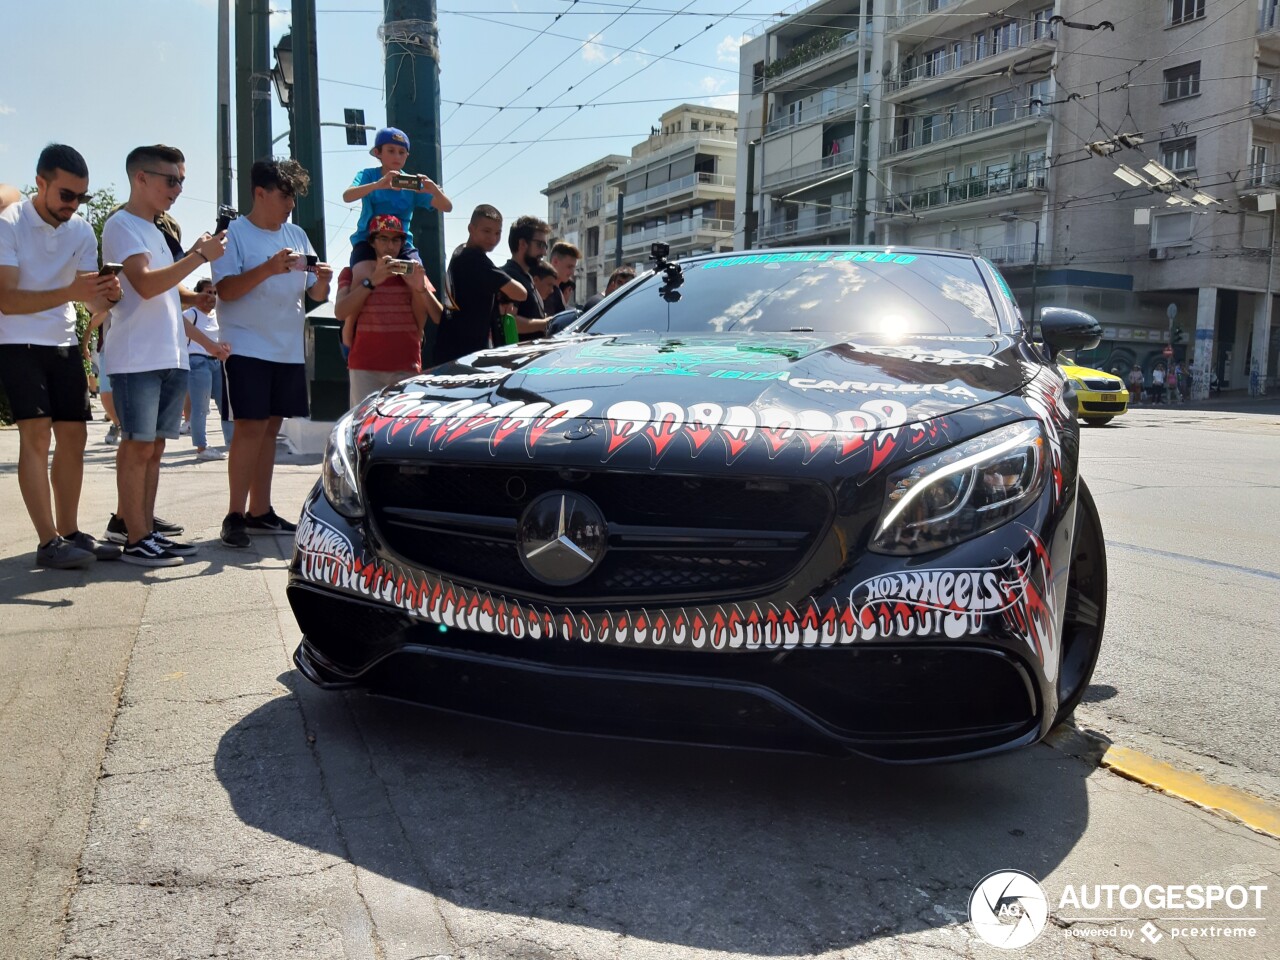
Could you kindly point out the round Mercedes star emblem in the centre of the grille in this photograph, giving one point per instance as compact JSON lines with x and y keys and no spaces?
{"x":561,"y":538}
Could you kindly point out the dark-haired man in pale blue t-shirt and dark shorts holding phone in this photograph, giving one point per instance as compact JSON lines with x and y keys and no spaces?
{"x":262,"y":287}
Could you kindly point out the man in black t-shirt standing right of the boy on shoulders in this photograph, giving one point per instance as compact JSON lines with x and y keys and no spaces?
{"x":472,"y":287}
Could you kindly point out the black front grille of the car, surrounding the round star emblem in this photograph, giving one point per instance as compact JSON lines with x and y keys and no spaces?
{"x":671,"y":537}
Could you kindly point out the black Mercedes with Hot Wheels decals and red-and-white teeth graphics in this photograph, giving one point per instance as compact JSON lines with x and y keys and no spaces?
{"x":808,"y":500}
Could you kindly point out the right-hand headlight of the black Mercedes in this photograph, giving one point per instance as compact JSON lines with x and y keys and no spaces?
{"x":962,"y":492}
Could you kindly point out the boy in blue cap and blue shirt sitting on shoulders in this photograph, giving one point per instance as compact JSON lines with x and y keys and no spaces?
{"x":380,"y":193}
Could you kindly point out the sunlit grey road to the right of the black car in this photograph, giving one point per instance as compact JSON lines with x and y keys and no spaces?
{"x":1191,"y":511}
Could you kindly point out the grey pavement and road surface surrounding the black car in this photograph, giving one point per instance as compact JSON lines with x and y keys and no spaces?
{"x":171,"y":788}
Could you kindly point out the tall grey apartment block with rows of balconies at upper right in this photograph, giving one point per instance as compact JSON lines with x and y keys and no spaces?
{"x":1128,"y":171}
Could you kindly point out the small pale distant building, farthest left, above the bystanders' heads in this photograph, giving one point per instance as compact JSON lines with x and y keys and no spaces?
{"x":577,"y":207}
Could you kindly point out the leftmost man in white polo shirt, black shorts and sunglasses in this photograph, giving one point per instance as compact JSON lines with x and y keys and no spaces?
{"x":49,"y":262}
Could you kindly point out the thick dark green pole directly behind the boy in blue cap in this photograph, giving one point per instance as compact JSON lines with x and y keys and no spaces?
{"x":413,"y":65}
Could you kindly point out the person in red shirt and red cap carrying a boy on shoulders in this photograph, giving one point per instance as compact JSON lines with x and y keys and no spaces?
{"x":383,"y":317}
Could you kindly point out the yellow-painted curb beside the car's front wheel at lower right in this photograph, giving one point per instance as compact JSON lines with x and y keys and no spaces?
{"x":1226,"y":802}
